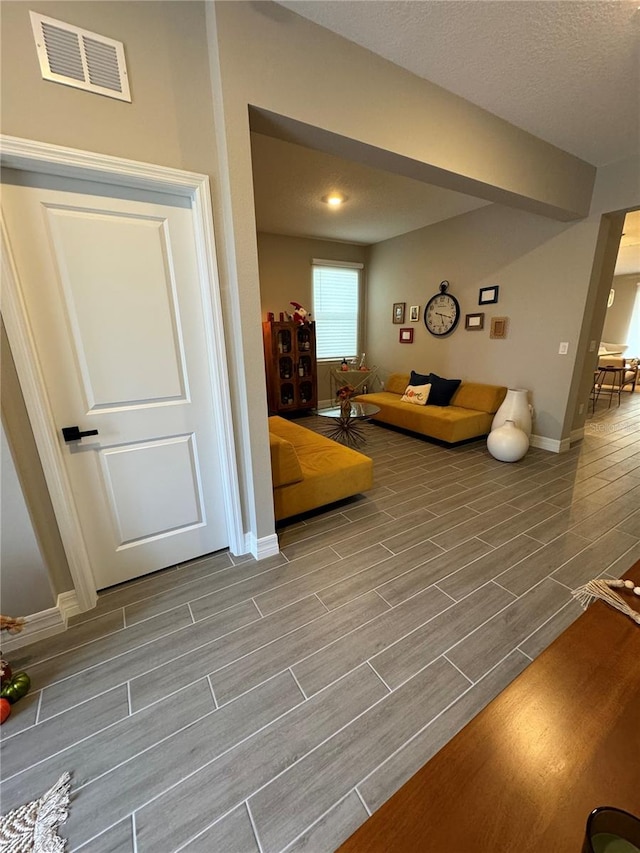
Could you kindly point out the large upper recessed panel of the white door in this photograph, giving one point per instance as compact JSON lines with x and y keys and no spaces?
{"x":128,"y":296}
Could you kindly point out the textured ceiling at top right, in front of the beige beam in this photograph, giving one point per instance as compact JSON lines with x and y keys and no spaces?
{"x":567,"y":71}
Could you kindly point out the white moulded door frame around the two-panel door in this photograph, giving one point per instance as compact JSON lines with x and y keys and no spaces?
{"x":33,"y":156}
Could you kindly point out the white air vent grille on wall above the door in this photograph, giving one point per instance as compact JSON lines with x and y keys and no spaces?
{"x":79,"y":58}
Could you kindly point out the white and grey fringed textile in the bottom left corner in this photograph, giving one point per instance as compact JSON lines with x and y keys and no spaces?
{"x":33,"y":828}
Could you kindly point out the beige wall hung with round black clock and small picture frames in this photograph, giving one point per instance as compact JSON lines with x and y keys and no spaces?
{"x":542,"y":269}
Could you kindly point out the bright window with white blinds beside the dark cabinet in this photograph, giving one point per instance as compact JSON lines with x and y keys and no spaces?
{"x":336,"y":308}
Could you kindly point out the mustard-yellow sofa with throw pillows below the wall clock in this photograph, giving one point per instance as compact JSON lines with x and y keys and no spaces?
{"x":469,"y":414}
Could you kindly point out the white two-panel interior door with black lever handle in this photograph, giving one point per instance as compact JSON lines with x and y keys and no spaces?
{"x":111,"y":287}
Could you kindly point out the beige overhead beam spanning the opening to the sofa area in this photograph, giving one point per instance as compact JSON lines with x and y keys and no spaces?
{"x":273,"y":59}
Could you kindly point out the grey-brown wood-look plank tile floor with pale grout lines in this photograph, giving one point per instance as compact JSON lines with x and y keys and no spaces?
{"x":235,"y":706}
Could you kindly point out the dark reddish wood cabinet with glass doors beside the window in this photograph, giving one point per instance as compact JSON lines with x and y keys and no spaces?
{"x":290,"y":364}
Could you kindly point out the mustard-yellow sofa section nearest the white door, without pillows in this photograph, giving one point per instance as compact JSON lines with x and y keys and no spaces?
{"x":311,"y":470}
